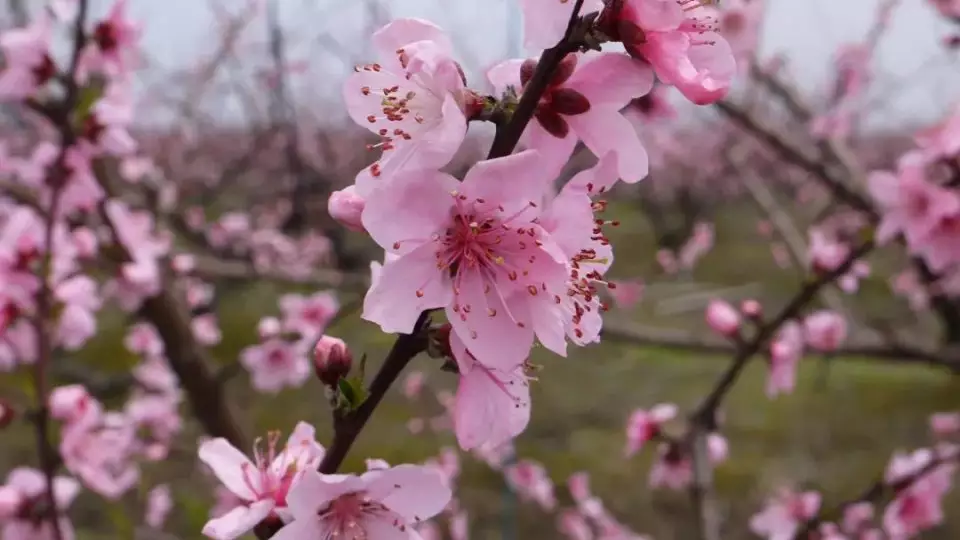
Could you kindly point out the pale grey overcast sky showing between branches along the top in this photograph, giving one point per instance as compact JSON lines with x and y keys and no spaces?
{"x":918,"y":78}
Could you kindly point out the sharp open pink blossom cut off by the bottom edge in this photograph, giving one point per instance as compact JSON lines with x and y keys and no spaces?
{"x":384,"y":503}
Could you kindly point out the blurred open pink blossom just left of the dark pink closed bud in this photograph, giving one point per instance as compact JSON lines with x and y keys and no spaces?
{"x":275,"y":364}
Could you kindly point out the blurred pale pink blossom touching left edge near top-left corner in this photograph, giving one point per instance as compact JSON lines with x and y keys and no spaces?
{"x":27,"y":61}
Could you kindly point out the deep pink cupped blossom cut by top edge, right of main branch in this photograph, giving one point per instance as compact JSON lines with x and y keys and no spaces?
{"x":679,"y":39}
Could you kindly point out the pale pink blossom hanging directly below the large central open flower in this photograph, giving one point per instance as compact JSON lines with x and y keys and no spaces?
{"x":492,"y":406}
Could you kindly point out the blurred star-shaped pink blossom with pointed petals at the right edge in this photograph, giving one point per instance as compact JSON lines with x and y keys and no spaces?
{"x":911,"y":204}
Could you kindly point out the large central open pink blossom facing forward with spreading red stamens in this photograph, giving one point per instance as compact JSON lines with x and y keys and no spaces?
{"x":475,"y":249}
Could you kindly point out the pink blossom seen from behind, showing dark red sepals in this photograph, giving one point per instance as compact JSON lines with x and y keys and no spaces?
{"x":583,"y":103}
